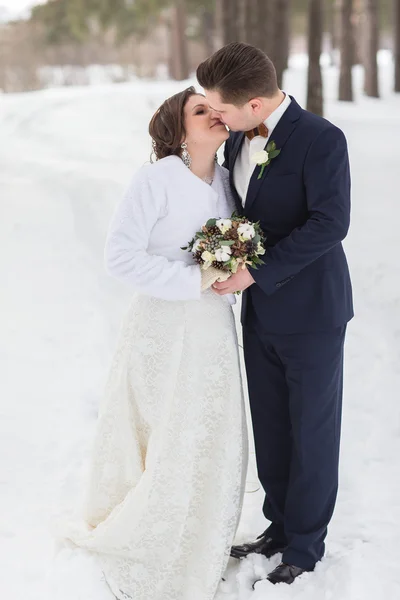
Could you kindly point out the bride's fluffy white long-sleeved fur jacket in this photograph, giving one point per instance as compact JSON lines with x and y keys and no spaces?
{"x":163,"y":208}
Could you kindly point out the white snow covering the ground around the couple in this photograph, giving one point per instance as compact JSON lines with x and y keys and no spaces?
{"x":65,"y":158}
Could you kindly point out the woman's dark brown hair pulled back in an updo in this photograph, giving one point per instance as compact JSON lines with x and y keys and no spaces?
{"x":167,"y":127}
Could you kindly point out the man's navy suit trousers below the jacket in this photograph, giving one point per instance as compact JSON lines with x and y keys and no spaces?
{"x":295,"y":387}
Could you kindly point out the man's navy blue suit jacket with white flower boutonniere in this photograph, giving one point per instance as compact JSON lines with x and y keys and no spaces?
{"x":303,"y":205}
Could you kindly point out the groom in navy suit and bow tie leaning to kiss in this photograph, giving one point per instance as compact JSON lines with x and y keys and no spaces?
{"x":296,"y":306}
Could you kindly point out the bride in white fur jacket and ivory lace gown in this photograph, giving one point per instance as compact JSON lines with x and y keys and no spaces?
{"x":170,"y":453}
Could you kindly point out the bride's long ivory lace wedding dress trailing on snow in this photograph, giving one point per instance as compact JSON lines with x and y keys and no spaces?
{"x":170,"y":453}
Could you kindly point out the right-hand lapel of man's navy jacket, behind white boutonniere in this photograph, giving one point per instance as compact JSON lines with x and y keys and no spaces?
{"x":280,"y":136}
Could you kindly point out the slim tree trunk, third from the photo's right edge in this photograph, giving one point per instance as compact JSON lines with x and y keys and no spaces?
{"x":346,"y":52}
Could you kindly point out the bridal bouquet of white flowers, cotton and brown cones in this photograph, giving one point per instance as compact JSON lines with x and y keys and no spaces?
{"x":228,"y":244}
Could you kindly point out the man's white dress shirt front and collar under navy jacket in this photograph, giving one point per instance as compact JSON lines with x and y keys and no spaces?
{"x":243,"y":169}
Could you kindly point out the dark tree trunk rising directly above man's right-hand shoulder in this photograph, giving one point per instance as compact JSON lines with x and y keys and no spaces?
{"x":315,"y":28}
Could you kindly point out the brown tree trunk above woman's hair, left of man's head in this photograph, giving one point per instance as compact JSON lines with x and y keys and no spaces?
{"x":179,"y":63}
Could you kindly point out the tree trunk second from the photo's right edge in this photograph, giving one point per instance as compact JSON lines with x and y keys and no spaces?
{"x":371,"y":49}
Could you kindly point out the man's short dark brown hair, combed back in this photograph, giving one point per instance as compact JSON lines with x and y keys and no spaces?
{"x":239,"y":72}
